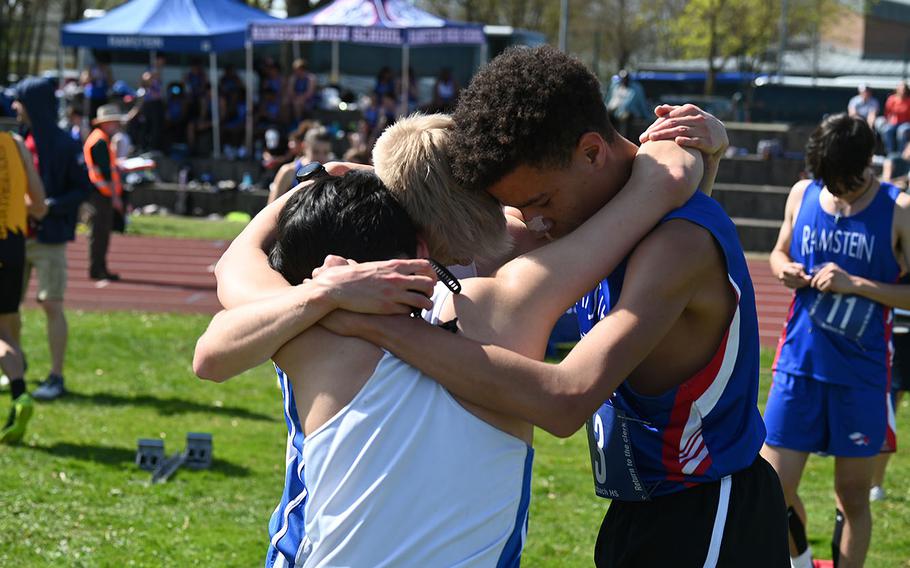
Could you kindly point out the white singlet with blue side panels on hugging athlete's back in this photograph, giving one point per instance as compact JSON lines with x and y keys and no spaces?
{"x":403,"y":475}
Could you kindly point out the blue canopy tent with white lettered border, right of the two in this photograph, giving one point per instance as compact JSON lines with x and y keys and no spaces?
{"x":390,"y":23}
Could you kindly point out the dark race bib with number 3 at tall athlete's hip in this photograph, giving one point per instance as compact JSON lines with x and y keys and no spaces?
{"x":612,"y":462}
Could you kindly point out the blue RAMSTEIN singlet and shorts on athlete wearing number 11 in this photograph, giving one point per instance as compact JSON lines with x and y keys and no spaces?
{"x":838,"y":338}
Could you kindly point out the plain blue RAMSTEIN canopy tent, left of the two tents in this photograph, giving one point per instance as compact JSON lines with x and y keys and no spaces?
{"x":184,"y":26}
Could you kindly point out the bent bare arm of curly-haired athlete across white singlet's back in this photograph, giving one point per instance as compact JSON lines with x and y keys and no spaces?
{"x":560,"y":397}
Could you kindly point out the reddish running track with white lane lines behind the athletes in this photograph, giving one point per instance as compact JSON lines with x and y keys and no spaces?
{"x":175,"y":275}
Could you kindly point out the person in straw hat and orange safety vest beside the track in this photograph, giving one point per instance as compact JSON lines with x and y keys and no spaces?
{"x":101,"y":159}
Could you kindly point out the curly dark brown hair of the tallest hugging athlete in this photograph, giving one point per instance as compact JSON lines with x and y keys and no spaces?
{"x":528,"y":106}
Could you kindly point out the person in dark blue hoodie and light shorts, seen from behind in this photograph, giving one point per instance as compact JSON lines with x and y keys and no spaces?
{"x":59,"y":160}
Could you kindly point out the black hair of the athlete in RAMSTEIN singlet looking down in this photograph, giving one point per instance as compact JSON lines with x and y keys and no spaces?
{"x":839,"y":150}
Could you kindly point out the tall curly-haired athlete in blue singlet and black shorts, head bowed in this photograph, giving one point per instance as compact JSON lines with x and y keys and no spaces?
{"x":532,"y":130}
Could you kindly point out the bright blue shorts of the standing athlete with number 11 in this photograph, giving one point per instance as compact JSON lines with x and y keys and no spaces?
{"x":807,"y":415}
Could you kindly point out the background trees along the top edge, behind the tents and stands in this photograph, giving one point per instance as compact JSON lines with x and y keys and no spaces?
{"x":607,"y":34}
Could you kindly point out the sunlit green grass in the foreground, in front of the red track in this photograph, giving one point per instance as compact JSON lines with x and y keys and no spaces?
{"x":71,"y":496}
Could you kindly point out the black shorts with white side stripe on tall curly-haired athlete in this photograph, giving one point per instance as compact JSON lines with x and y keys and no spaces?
{"x":685,"y":530}
